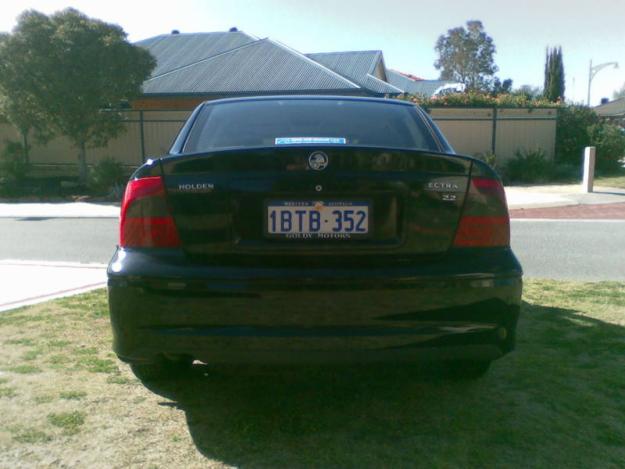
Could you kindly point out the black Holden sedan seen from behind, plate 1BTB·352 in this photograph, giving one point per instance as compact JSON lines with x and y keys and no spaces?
{"x":324,"y":229}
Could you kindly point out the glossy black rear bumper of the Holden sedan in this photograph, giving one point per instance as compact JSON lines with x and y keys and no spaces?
{"x":464,"y":306}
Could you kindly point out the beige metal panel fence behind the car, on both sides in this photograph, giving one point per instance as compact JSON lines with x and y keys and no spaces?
{"x":470,"y":131}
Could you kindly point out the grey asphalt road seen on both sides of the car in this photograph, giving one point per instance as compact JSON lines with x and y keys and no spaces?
{"x":592,"y":250}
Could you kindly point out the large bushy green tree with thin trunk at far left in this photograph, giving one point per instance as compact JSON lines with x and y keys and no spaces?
{"x":76,"y":71}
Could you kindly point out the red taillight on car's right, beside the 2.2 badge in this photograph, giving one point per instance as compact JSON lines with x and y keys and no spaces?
{"x":485,"y":221}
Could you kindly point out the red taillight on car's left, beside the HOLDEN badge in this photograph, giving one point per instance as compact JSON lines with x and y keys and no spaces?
{"x":145,"y":220}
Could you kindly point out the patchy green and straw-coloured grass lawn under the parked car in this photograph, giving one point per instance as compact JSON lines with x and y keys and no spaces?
{"x":557,"y":401}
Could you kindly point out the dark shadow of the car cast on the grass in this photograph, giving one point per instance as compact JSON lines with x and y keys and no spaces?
{"x":557,"y":400}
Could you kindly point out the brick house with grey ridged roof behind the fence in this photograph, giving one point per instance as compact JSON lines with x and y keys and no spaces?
{"x":200,"y":66}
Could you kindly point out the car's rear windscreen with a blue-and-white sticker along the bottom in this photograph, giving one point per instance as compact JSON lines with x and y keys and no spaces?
{"x":308,"y":121}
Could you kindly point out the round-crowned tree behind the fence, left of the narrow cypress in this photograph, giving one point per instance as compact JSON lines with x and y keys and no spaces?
{"x":466,"y":55}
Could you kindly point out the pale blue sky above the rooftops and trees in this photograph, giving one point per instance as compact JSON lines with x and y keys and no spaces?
{"x":405,"y":31}
